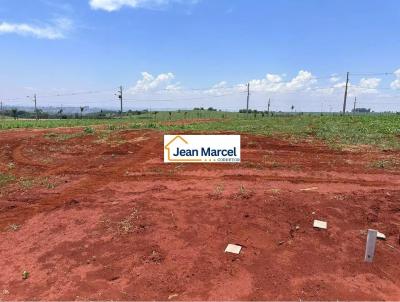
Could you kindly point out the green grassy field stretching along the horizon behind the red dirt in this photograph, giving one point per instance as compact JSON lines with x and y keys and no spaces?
{"x":382,"y":131}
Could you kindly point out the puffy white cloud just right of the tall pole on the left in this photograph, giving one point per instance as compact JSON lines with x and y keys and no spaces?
{"x":149,"y":82}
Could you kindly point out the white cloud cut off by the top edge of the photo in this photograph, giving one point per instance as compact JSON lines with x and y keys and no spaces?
{"x":114,"y":5}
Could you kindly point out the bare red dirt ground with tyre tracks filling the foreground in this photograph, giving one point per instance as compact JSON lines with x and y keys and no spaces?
{"x":101,"y":217}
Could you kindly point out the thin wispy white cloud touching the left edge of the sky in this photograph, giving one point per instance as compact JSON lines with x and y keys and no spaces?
{"x":56,"y":30}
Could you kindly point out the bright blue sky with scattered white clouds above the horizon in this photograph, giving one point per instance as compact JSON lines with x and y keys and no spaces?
{"x":201,"y":52}
